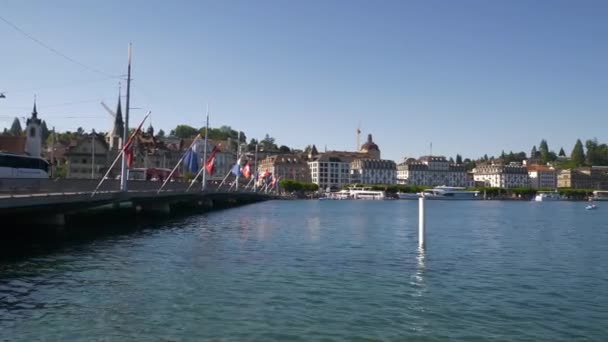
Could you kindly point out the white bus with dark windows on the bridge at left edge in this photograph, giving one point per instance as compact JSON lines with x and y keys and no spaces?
{"x":22,"y":166}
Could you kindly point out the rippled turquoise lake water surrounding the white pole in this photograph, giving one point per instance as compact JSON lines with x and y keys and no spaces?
{"x":309,"y":270}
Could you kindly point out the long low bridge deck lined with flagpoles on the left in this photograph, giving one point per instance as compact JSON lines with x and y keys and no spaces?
{"x":48,"y":201}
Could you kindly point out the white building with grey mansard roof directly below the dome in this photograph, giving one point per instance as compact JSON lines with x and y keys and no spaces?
{"x":373,"y":171}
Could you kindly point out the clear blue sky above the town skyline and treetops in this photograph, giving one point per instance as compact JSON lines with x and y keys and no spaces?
{"x":472,"y":77}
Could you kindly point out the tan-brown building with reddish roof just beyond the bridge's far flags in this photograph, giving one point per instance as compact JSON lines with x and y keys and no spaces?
{"x":286,"y":166}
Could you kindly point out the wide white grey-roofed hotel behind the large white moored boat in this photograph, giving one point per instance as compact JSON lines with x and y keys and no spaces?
{"x":432,"y":171}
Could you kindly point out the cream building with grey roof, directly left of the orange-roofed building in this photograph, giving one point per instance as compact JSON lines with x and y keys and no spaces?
{"x":502,"y":176}
